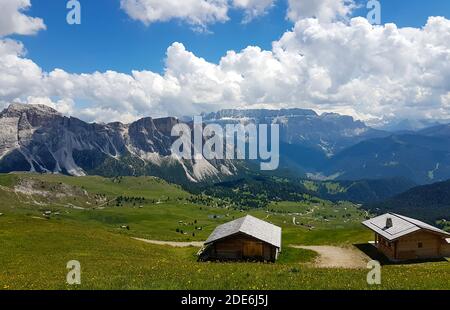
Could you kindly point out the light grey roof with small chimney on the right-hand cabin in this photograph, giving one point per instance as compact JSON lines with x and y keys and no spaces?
{"x":401,"y":226}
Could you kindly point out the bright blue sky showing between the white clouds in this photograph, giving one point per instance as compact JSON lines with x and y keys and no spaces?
{"x":108,"y":39}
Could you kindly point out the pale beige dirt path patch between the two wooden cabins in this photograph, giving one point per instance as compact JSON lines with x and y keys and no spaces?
{"x":337,"y":257}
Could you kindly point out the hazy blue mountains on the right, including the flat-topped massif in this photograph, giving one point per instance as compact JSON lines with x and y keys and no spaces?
{"x":337,"y":147}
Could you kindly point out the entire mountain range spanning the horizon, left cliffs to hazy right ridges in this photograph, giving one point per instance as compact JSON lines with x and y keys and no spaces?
{"x":328,"y":146}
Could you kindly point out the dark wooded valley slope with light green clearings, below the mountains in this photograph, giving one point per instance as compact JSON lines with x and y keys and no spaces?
{"x":258,"y":191}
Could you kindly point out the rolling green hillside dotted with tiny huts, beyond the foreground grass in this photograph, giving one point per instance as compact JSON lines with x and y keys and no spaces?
{"x":155,"y":209}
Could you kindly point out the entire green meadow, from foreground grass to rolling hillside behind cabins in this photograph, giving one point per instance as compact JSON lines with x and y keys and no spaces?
{"x":48,"y":220}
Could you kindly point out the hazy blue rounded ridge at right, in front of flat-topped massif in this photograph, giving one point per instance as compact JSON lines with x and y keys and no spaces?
{"x":420,"y":158}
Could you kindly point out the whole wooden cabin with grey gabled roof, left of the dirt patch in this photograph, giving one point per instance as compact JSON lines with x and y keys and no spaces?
{"x":247,"y":238}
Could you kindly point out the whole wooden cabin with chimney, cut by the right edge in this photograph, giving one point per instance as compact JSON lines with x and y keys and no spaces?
{"x":402,"y":238}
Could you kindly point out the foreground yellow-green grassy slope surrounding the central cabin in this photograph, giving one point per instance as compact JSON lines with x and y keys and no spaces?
{"x":37,"y":253}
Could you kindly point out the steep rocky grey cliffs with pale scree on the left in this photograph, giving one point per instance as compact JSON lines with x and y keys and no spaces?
{"x":38,"y":138}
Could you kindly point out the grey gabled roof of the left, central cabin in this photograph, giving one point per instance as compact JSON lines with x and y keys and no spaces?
{"x":251,"y":226}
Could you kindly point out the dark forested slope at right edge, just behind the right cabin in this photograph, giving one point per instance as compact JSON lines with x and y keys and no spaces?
{"x":428,"y":202}
